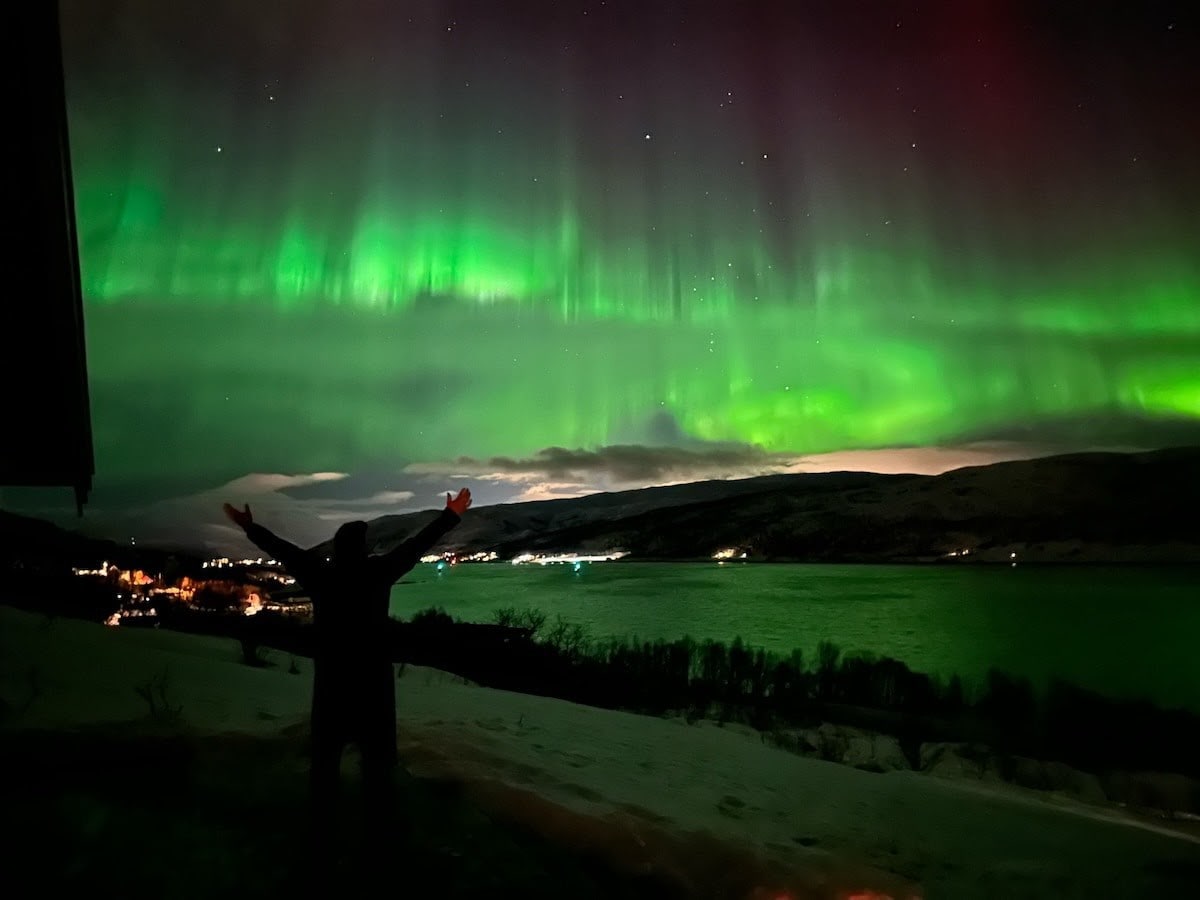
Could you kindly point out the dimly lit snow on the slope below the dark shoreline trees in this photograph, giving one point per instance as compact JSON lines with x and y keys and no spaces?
{"x":650,"y":791}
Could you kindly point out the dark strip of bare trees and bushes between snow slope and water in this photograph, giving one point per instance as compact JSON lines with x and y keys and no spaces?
{"x":855,"y":709}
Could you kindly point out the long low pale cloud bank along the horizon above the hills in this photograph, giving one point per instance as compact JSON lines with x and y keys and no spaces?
{"x":307,"y":508}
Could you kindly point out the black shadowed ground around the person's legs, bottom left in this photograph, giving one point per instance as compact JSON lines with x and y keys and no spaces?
{"x":100,"y":814}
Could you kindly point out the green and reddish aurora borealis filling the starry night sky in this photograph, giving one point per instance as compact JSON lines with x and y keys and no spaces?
{"x":333,"y":237}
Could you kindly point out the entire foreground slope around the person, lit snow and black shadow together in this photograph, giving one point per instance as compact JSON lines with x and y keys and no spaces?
{"x":202,"y":796}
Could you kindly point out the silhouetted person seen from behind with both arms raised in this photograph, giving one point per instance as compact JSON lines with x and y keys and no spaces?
{"x":355,"y":686}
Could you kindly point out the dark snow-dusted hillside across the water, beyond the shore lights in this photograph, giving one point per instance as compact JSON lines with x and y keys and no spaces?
{"x":1077,"y":508}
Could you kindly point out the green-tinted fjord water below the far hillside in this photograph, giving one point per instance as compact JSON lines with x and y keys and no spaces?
{"x":1131,"y":632}
